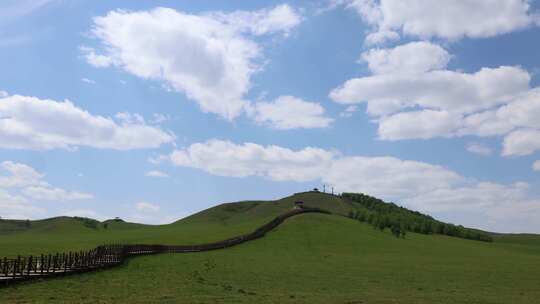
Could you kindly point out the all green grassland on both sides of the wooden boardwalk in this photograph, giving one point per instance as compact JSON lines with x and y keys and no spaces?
{"x":311,"y":258}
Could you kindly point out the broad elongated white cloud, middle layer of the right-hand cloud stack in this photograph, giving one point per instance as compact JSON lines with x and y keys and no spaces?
{"x":442,"y":90}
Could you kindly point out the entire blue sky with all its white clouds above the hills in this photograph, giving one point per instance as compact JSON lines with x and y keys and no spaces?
{"x":153,"y":110}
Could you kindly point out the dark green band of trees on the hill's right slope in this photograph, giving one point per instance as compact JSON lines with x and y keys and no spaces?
{"x":399,"y":220}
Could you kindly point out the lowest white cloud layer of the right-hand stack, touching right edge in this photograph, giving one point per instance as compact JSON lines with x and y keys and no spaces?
{"x":516,"y":120}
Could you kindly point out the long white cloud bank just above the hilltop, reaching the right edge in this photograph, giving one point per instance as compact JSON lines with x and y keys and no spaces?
{"x":427,"y":187}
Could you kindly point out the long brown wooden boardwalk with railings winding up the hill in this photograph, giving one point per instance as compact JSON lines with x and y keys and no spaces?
{"x":106,"y":256}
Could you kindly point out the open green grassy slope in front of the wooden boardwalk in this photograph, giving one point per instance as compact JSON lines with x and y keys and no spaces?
{"x":312,"y":258}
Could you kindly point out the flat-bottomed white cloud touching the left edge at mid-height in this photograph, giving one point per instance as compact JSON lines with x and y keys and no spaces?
{"x":43,"y":124}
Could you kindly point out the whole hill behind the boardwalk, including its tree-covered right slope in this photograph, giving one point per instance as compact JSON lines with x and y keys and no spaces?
{"x":213,"y":224}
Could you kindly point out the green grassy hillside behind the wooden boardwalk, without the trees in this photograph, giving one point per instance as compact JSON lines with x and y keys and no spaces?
{"x":214,"y":224}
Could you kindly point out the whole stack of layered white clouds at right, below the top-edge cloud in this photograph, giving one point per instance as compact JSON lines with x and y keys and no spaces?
{"x":421,"y":99}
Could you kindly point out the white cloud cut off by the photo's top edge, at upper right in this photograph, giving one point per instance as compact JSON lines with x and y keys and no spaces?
{"x":448,"y":19}
